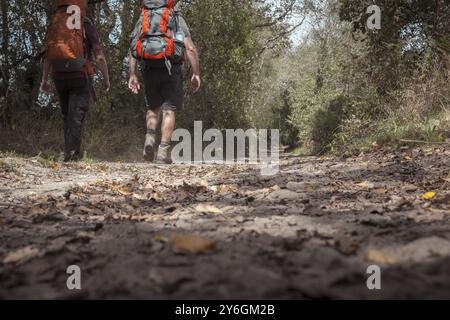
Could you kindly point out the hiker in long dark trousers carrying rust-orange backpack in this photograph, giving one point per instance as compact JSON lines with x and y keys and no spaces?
{"x":71,"y":44}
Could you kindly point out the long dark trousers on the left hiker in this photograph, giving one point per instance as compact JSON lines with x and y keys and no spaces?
{"x":74,"y":95}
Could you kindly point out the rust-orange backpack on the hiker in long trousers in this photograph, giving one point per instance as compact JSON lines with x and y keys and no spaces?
{"x":65,"y":43}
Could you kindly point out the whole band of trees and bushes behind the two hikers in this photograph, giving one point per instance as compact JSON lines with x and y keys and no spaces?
{"x":308,"y":67}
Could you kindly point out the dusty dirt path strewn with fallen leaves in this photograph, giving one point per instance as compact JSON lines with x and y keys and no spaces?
{"x":140,"y":231}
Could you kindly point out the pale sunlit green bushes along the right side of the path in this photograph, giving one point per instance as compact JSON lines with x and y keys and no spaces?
{"x":351,"y":88}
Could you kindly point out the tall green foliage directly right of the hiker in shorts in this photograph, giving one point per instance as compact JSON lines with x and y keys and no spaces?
{"x":226,"y":39}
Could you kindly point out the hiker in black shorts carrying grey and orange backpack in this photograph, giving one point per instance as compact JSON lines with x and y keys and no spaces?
{"x":160,"y":45}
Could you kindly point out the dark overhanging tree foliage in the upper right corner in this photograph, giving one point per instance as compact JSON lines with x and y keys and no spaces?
{"x":410,"y":31}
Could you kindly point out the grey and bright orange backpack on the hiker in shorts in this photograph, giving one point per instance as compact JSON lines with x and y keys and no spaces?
{"x":154,"y":35}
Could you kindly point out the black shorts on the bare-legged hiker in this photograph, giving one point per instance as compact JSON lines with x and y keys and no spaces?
{"x":163,"y":90}
